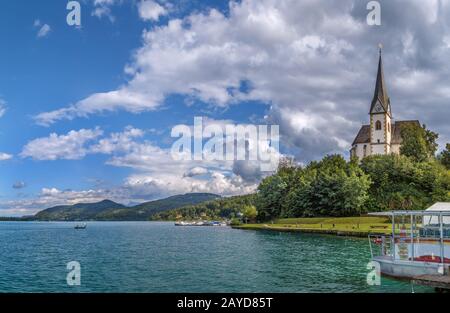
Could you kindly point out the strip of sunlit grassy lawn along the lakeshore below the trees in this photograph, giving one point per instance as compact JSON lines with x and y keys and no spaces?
{"x":346,"y":225}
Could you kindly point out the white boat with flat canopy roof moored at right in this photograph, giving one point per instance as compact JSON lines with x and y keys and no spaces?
{"x":419,"y":243}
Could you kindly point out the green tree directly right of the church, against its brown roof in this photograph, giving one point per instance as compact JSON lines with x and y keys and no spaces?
{"x":418,"y":142}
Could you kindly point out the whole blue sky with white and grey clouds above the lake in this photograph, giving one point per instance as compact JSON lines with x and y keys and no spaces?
{"x":86,"y":112}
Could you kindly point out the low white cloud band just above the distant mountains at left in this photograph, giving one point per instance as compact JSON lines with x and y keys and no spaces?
{"x":137,"y":188}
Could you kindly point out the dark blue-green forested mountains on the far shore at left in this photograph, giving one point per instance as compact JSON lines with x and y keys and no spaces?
{"x":110,"y":211}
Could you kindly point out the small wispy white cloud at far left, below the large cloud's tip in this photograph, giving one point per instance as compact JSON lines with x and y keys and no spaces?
{"x":69,"y":147}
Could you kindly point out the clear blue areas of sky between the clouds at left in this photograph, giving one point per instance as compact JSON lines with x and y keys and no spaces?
{"x":66,"y":65}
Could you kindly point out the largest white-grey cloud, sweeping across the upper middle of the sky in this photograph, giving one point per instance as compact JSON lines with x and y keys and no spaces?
{"x":209,"y":55}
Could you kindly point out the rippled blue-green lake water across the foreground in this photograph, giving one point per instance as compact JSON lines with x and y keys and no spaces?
{"x":159,"y":257}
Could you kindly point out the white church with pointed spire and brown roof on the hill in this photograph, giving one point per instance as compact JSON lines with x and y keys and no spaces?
{"x":382,"y":135}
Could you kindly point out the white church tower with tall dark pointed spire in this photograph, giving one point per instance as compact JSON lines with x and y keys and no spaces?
{"x":380,"y":116}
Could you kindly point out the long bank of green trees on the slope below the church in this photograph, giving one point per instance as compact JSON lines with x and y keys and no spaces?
{"x":413,"y":180}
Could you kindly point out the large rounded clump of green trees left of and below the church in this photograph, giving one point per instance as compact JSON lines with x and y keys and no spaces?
{"x":330,"y":187}
